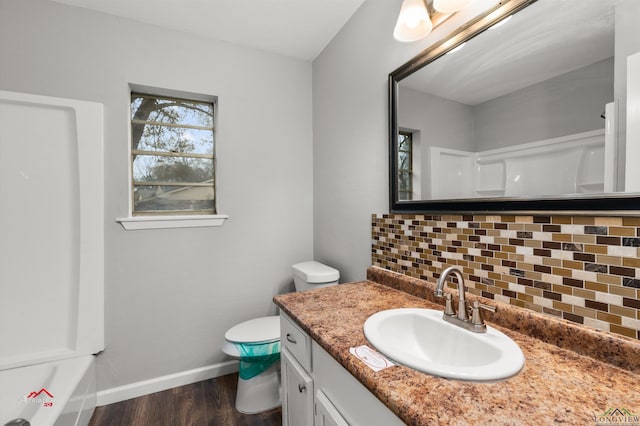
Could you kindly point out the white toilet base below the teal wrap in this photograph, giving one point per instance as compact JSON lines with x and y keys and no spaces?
{"x":260,"y":393}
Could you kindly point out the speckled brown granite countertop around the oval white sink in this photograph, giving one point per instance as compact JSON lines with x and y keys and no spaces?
{"x":556,"y":385}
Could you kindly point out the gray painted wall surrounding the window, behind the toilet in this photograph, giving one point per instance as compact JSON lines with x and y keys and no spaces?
{"x":172,"y":294}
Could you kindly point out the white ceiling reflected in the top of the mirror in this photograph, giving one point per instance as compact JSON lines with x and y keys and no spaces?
{"x":548,"y":38}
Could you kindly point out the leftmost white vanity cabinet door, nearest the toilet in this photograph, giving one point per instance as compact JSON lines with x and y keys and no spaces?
{"x":297,"y":395}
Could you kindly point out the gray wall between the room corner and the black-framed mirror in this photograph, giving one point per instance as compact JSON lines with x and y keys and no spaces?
{"x":350,"y":132}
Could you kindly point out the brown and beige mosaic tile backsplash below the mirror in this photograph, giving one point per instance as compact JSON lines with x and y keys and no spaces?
{"x":583,"y":269}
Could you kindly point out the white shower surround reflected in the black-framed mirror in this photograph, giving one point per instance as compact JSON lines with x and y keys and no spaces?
{"x":573,"y":164}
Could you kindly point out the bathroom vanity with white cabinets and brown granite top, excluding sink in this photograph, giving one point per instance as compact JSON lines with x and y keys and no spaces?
{"x":571,"y":374}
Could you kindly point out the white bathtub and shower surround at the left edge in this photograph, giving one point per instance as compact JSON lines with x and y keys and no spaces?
{"x":51,"y":257}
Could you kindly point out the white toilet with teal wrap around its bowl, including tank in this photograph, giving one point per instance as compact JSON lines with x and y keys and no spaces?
{"x":256,"y":343}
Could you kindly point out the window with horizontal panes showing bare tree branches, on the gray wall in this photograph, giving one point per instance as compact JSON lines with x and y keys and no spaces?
{"x":172,"y":156}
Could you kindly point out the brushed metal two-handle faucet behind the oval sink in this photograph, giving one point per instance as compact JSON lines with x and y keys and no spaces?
{"x":476,"y":323}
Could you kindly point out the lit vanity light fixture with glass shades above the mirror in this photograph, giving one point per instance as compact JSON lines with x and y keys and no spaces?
{"x":415,"y":18}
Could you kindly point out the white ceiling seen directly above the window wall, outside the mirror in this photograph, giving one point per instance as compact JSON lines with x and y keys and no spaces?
{"x":295,"y":28}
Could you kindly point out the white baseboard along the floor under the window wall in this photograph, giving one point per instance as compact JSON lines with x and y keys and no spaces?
{"x":157,"y":384}
